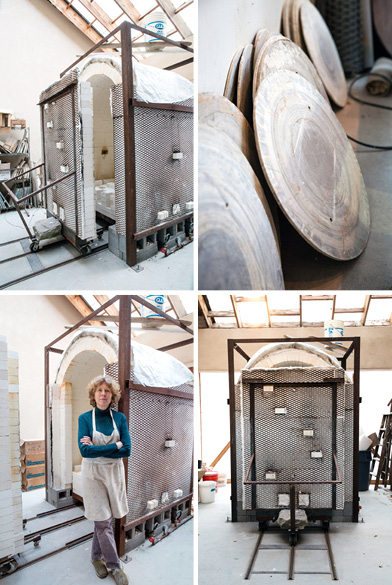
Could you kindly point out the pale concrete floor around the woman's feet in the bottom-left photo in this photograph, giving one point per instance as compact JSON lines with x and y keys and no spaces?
{"x":170,"y":562}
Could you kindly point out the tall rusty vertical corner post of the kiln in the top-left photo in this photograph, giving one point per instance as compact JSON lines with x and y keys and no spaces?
{"x":129,"y":143}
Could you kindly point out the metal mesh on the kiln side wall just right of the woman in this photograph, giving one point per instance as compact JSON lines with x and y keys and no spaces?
{"x":153,"y":469}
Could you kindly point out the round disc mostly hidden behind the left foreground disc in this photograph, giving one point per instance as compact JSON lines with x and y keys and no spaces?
{"x":218,"y":112}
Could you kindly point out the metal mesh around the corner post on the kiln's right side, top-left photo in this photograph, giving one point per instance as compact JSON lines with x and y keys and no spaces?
{"x":161,"y":182}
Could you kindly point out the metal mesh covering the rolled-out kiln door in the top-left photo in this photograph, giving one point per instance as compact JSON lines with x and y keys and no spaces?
{"x":62,"y":151}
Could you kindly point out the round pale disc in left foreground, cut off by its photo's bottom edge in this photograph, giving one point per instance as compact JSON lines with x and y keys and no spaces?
{"x":237,"y":242}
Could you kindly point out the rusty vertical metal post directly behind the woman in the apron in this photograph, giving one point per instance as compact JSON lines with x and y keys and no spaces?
{"x":124,"y":366}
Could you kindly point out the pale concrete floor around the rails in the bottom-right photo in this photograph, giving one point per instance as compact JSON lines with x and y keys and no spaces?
{"x":362,"y":551}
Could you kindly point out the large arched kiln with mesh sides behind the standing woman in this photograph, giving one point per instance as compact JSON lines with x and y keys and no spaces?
{"x":160,"y":416}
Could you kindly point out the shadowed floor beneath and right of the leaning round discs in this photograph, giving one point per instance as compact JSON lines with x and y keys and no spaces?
{"x":303,"y":267}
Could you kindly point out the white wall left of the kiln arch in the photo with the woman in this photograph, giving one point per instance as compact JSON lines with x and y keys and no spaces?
{"x":30,"y":322}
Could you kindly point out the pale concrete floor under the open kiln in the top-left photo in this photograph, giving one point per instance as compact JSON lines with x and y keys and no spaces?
{"x":101,"y":271}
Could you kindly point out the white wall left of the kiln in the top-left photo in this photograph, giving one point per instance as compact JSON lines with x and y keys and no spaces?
{"x":38,"y":43}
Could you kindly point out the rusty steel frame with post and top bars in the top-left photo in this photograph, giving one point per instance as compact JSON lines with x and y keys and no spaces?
{"x":129,"y":105}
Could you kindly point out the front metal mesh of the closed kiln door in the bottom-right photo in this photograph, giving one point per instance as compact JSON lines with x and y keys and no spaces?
{"x":279,"y":442}
